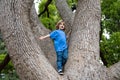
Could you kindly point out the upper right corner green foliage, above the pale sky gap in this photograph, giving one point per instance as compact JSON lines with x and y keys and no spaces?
{"x":111,"y":15}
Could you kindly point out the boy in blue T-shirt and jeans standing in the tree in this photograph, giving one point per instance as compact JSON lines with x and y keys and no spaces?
{"x":60,"y":45}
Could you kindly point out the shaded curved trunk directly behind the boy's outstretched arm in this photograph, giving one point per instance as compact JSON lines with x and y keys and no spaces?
{"x":39,"y":30}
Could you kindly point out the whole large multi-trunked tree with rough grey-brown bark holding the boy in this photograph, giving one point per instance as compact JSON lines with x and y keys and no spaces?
{"x":20,"y":29}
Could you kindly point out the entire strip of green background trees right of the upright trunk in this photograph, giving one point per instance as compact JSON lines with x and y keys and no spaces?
{"x":110,"y":23}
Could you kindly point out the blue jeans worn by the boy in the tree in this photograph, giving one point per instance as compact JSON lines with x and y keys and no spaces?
{"x":62,"y":57}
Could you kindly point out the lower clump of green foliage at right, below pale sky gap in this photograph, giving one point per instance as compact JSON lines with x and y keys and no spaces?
{"x":111,"y":48}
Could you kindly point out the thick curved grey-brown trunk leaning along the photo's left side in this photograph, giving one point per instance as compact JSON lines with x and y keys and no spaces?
{"x":26,"y":55}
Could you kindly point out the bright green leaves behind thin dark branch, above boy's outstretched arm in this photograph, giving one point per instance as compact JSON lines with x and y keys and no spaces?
{"x":50,"y":17}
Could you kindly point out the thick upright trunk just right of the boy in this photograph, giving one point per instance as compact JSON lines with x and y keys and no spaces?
{"x":84,"y":43}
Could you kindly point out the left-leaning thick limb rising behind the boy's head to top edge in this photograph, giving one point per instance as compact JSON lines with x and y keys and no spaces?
{"x":65,"y":12}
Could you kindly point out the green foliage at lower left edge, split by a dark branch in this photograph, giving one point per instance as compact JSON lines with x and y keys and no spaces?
{"x":8,"y":73}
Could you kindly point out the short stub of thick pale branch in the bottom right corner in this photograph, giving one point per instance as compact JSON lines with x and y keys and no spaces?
{"x":115,"y":70}
